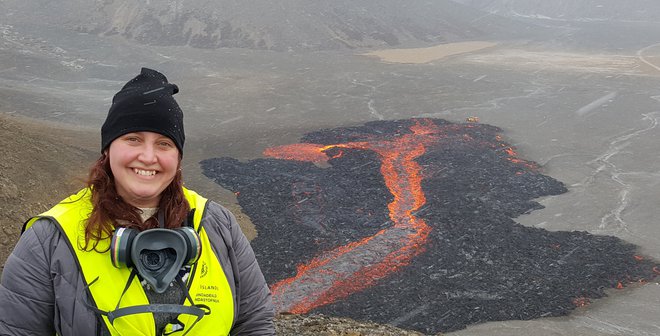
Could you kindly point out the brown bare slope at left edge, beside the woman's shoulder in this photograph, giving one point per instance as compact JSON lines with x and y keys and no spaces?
{"x":41,"y":164}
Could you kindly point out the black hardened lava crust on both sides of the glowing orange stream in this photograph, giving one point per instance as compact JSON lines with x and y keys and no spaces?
{"x":478,"y":264}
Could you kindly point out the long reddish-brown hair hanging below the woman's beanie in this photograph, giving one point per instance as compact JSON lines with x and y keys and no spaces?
{"x":108,"y":206}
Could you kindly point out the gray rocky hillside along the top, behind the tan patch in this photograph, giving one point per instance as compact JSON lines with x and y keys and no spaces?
{"x":274,"y":25}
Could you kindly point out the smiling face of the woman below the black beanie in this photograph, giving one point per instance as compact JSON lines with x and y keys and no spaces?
{"x":143,"y":164}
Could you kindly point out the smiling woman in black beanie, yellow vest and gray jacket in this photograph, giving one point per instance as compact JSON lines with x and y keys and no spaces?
{"x":130,"y":243}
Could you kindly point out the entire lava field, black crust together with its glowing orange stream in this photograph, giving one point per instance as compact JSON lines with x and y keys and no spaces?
{"x":410,"y":222}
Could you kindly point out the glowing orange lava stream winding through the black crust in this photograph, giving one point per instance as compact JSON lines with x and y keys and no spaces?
{"x":347,"y":269}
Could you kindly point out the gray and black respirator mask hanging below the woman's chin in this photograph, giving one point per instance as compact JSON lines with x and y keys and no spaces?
{"x":156,"y":254}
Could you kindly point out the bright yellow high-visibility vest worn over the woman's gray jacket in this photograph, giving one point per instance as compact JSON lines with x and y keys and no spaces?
{"x":207,"y":284}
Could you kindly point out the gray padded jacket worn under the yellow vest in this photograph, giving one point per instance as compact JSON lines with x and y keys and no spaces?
{"x":42,"y":291}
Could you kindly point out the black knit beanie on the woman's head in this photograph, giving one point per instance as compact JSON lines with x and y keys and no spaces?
{"x":145,"y":103}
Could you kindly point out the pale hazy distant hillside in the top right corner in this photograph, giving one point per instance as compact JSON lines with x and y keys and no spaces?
{"x":578,"y":10}
